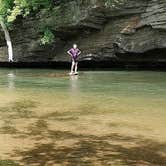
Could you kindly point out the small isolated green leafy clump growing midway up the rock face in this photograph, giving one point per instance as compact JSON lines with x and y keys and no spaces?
{"x":48,"y":37}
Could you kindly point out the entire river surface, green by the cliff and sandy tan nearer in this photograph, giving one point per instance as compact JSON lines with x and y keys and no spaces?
{"x":74,"y":119}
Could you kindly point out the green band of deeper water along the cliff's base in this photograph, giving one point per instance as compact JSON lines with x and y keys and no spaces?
{"x":150,"y":84}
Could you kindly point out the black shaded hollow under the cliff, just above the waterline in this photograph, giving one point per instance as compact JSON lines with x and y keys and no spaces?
{"x":137,"y":61}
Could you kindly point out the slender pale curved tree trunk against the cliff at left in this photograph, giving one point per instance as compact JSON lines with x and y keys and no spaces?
{"x":8,"y":41}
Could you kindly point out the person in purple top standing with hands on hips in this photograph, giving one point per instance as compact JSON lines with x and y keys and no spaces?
{"x":74,"y":53}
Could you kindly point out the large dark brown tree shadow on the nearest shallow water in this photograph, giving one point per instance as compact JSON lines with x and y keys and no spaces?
{"x":111,"y":149}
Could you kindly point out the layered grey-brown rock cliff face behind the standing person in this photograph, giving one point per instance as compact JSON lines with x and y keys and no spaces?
{"x":132,"y":32}
